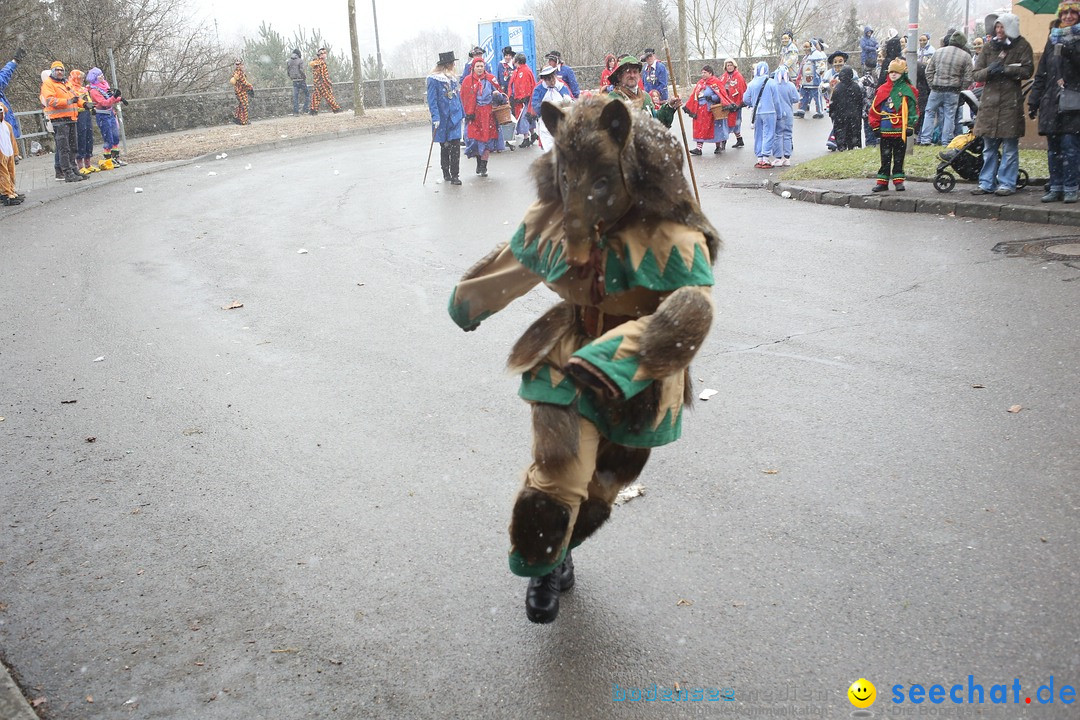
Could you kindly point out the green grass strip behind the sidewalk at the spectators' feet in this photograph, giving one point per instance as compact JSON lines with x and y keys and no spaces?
{"x":865,"y":164}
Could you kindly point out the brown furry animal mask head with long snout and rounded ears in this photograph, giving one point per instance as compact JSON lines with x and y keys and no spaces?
{"x":593,"y":157}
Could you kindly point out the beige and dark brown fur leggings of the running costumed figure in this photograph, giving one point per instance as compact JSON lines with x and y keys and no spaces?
{"x":570,"y":488}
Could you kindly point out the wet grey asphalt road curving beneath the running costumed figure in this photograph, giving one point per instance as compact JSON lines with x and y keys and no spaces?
{"x":298,"y":509}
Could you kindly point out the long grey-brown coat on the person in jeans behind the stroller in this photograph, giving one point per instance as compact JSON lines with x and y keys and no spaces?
{"x":1002,"y":107}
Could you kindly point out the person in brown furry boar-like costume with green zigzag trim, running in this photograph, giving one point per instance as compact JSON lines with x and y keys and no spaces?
{"x":617,"y":234}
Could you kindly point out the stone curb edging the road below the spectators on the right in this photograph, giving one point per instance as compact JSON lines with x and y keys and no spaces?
{"x":943,"y":206}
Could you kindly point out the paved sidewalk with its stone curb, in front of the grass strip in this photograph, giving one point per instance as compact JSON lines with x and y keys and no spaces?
{"x":922,"y":197}
